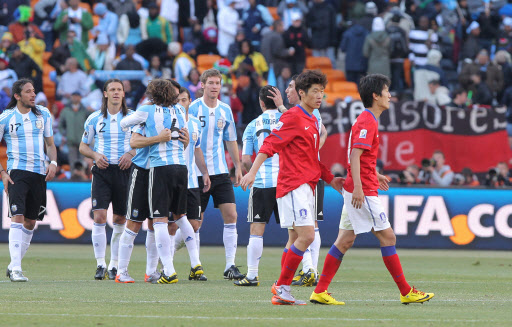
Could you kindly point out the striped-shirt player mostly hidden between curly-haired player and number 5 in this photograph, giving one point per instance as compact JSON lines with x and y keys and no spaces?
{"x":188,"y":233}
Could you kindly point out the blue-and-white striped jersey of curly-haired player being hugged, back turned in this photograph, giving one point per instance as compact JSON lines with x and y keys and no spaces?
{"x":159,"y":118}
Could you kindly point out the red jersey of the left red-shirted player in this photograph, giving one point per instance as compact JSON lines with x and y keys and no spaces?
{"x":296,"y":138}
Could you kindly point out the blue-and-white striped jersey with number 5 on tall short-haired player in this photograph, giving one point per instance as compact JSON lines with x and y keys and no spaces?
{"x":218,"y":126}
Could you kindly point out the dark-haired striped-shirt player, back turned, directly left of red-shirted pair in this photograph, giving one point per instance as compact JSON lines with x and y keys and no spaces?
{"x":262,"y":199}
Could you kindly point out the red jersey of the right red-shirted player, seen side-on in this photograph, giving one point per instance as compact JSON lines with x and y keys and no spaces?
{"x":365,"y":135}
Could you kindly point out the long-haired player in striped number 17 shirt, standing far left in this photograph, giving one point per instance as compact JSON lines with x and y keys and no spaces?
{"x":27,"y":129}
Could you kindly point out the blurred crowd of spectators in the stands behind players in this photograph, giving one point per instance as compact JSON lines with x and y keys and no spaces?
{"x":446,"y":52}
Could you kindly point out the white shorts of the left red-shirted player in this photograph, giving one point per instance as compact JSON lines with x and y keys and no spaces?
{"x":296,"y":207}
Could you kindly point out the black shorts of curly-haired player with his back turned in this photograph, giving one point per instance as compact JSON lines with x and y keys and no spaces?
{"x":168,"y":186}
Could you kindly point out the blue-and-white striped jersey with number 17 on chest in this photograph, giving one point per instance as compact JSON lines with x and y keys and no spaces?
{"x":24,"y":135}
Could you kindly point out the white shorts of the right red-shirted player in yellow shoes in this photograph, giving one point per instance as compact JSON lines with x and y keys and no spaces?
{"x":370,"y":216}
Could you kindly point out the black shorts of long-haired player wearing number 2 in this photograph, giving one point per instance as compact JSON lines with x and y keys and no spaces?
{"x":110,"y":185}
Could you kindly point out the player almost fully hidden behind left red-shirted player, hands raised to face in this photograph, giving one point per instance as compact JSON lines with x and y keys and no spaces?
{"x":308,"y":275}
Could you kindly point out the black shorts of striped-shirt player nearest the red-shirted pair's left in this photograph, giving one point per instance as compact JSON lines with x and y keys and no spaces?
{"x":262,"y":202}
